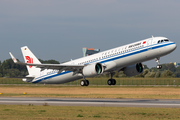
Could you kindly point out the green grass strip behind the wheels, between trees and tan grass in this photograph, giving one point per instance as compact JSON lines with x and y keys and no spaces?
{"x":103,"y":81}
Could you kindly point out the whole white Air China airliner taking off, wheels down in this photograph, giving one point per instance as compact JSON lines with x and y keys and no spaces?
{"x":127,"y":58}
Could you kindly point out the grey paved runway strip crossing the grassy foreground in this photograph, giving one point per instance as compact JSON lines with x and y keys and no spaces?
{"x":91,"y":102}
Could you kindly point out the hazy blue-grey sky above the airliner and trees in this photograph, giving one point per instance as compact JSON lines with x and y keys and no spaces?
{"x":59,"y":29}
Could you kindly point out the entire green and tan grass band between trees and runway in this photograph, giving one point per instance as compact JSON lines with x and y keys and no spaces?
{"x":98,"y":89}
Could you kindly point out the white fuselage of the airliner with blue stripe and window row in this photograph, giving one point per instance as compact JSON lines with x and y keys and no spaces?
{"x":114,"y":59}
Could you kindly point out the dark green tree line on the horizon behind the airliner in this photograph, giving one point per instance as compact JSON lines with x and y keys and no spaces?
{"x":9,"y":69}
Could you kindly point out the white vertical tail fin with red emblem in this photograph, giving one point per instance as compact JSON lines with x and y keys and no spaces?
{"x":29,"y":57}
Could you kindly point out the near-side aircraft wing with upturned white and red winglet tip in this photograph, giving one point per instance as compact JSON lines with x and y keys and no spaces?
{"x":60,"y":67}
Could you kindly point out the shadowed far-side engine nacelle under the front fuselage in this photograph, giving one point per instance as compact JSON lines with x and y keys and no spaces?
{"x":134,"y":70}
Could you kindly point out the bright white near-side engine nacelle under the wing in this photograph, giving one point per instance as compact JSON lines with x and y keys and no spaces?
{"x":92,"y":70}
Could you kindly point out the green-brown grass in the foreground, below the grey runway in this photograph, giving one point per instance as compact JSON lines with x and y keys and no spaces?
{"x":21,"y":112}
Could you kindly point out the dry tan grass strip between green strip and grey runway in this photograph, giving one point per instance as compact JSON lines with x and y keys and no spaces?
{"x":92,"y":92}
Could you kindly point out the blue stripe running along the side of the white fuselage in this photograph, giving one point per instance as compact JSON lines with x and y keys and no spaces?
{"x":112,"y":58}
